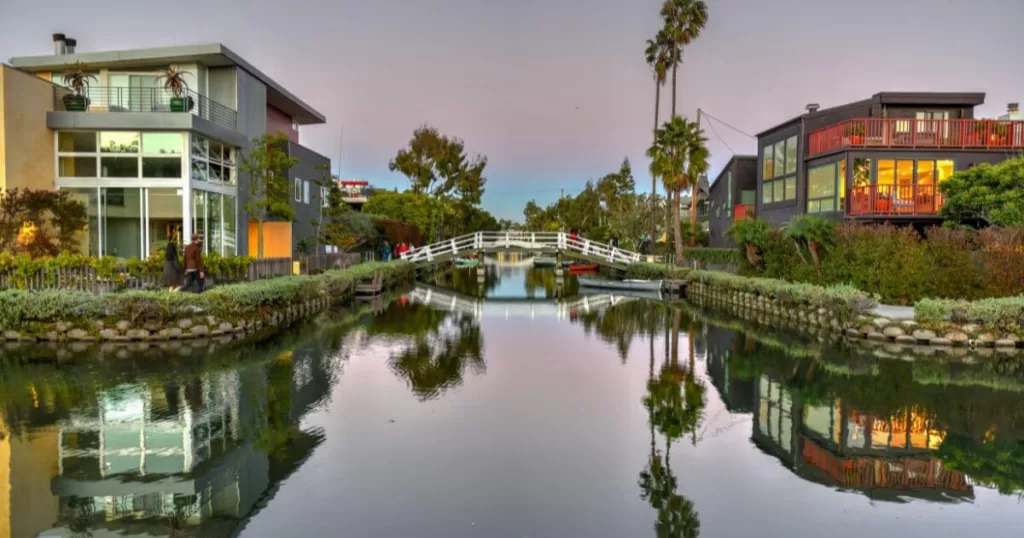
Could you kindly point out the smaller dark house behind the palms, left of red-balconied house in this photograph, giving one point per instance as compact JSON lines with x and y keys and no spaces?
{"x":733,"y":196}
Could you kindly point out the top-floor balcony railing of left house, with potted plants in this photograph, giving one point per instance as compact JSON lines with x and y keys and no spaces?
{"x":103,"y":99}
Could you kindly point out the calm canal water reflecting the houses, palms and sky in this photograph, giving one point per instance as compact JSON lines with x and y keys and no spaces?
{"x":423,"y":417}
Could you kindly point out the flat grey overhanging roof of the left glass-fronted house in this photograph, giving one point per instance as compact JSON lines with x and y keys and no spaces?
{"x":212,"y":55}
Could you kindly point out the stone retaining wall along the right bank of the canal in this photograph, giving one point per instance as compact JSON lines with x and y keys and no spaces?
{"x":867,"y":329}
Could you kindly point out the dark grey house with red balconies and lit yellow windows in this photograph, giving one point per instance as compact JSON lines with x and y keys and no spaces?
{"x":878,"y":159}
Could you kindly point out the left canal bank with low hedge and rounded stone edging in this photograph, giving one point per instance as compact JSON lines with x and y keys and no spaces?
{"x":161,"y":316}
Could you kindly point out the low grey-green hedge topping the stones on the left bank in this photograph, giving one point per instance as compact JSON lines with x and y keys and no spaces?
{"x":249,"y":301}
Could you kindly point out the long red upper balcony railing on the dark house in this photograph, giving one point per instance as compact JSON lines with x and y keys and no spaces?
{"x":908,"y":133}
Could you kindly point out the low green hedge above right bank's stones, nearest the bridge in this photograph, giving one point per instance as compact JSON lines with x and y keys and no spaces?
{"x":843,"y":301}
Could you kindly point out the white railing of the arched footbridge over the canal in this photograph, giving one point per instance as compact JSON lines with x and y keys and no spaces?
{"x":527,"y":241}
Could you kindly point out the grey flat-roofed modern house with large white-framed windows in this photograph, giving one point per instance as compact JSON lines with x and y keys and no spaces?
{"x":149,"y":169}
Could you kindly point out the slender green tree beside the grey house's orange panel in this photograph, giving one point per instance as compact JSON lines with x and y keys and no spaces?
{"x":267,"y":165}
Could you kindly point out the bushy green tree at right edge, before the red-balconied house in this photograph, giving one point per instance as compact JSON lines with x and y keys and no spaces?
{"x":992,"y":194}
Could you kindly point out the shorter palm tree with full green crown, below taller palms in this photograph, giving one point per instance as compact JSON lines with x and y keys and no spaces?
{"x":678,"y":152}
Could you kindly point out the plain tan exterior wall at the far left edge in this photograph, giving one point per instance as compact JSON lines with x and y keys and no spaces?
{"x":26,"y":143}
